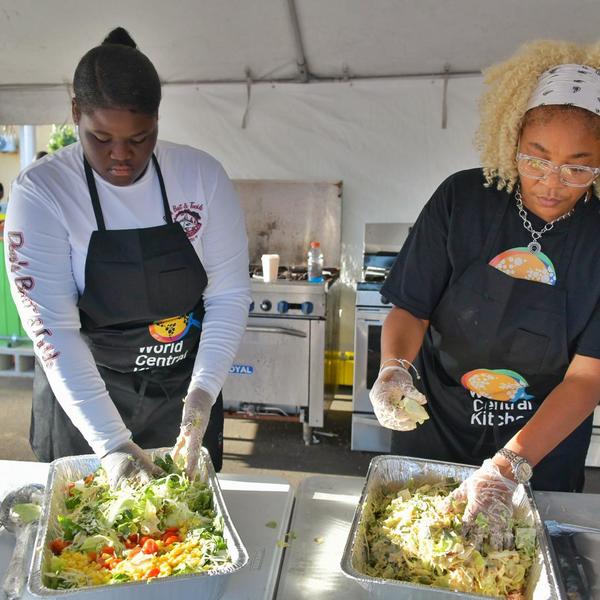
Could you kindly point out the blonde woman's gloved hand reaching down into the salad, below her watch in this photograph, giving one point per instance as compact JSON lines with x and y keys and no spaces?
{"x":489,"y":509}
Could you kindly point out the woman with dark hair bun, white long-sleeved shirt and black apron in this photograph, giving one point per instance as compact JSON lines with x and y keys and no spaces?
{"x":130,"y":308}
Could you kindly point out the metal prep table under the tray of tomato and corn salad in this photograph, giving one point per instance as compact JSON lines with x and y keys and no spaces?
{"x":252,"y":502}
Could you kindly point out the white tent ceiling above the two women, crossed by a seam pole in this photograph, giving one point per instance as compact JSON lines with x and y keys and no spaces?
{"x":219,"y":40}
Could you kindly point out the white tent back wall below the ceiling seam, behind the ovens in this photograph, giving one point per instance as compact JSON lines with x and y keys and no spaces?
{"x":382,"y":138}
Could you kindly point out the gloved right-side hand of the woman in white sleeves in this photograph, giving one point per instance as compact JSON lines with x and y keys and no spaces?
{"x":196,"y":413}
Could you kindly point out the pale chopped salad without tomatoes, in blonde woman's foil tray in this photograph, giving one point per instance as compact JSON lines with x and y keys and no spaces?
{"x":411,"y":536}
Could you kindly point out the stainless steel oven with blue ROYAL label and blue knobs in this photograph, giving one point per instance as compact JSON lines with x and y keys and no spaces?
{"x":278,"y":369}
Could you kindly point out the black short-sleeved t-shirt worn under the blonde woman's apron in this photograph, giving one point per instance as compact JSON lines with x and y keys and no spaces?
{"x":450,"y":234}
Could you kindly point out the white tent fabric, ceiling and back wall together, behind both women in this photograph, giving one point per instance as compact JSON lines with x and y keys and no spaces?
{"x":382,"y":138}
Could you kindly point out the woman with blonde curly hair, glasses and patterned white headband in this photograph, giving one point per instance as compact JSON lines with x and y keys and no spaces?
{"x":496,"y":292}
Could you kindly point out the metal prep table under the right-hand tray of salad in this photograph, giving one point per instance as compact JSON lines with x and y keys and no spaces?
{"x":323,"y":512}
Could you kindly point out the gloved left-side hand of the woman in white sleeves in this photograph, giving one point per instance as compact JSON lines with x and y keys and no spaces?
{"x":129,"y":463}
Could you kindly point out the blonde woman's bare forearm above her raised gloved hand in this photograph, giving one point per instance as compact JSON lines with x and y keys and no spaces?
{"x":402,"y":335}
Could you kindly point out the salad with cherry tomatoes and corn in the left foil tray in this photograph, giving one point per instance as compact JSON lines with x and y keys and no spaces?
{"x":165,"y":528}
